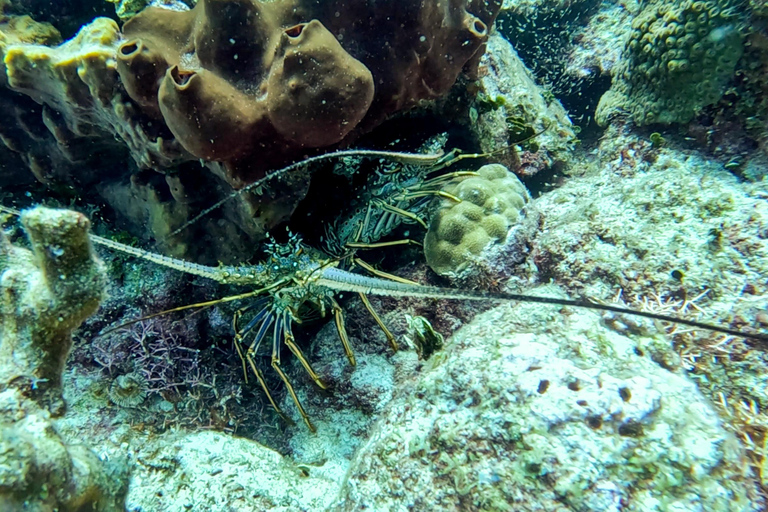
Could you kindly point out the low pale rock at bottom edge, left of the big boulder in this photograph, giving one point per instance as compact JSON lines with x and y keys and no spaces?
{"x":217,"y":472}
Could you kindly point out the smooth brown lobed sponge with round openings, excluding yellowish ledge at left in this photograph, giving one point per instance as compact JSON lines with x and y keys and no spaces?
{"x":242,"y":80}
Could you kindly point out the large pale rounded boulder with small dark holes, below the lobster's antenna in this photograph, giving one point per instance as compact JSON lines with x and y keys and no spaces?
{"x":530,"y":410}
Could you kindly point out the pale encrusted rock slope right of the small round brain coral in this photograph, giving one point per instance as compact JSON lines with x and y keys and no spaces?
{"x":687,"y":214}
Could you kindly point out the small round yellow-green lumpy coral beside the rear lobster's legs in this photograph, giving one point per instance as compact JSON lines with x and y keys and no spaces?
{"x":490,"y":205}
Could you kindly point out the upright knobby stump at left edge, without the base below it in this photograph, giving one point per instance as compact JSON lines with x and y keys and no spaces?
{"x":46,"y":294}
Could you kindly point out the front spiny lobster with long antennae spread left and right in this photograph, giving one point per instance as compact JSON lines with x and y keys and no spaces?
{"x":294,"y":274}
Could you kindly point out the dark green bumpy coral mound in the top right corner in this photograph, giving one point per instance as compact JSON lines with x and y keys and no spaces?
{"x":677,"y":59}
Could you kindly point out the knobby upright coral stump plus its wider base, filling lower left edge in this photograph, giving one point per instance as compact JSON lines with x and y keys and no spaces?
{"x":46,"y":293}
